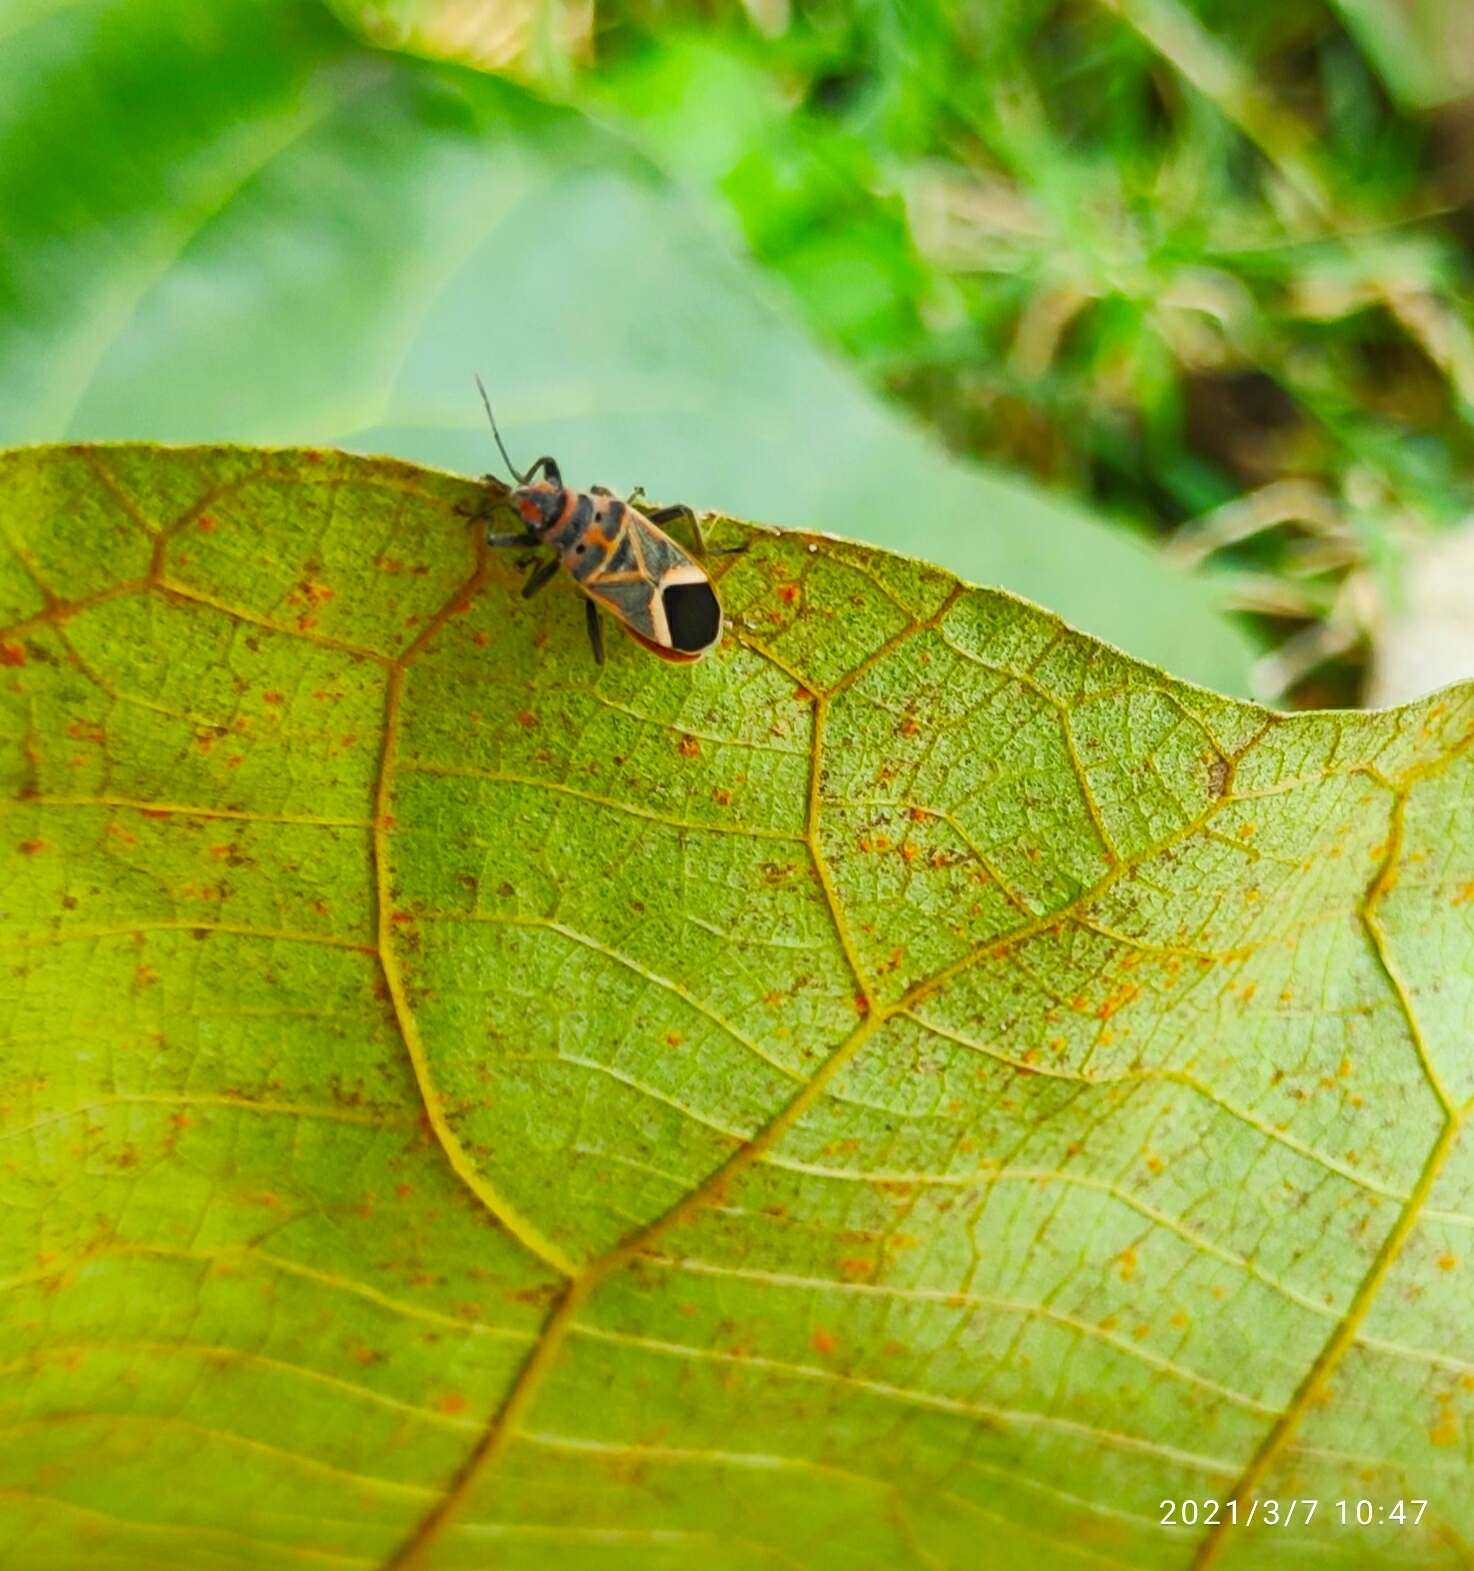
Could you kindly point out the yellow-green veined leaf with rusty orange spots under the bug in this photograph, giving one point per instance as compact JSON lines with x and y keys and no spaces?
{"x":917,"y":1078}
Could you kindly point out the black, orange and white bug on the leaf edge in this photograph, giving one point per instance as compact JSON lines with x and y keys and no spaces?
{"x":621,"y":560}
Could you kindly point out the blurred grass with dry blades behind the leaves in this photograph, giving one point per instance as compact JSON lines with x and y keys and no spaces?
{"x":1204,"y":266}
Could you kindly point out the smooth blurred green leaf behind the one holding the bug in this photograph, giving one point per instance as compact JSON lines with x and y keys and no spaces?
{"x":243,"y":225}
